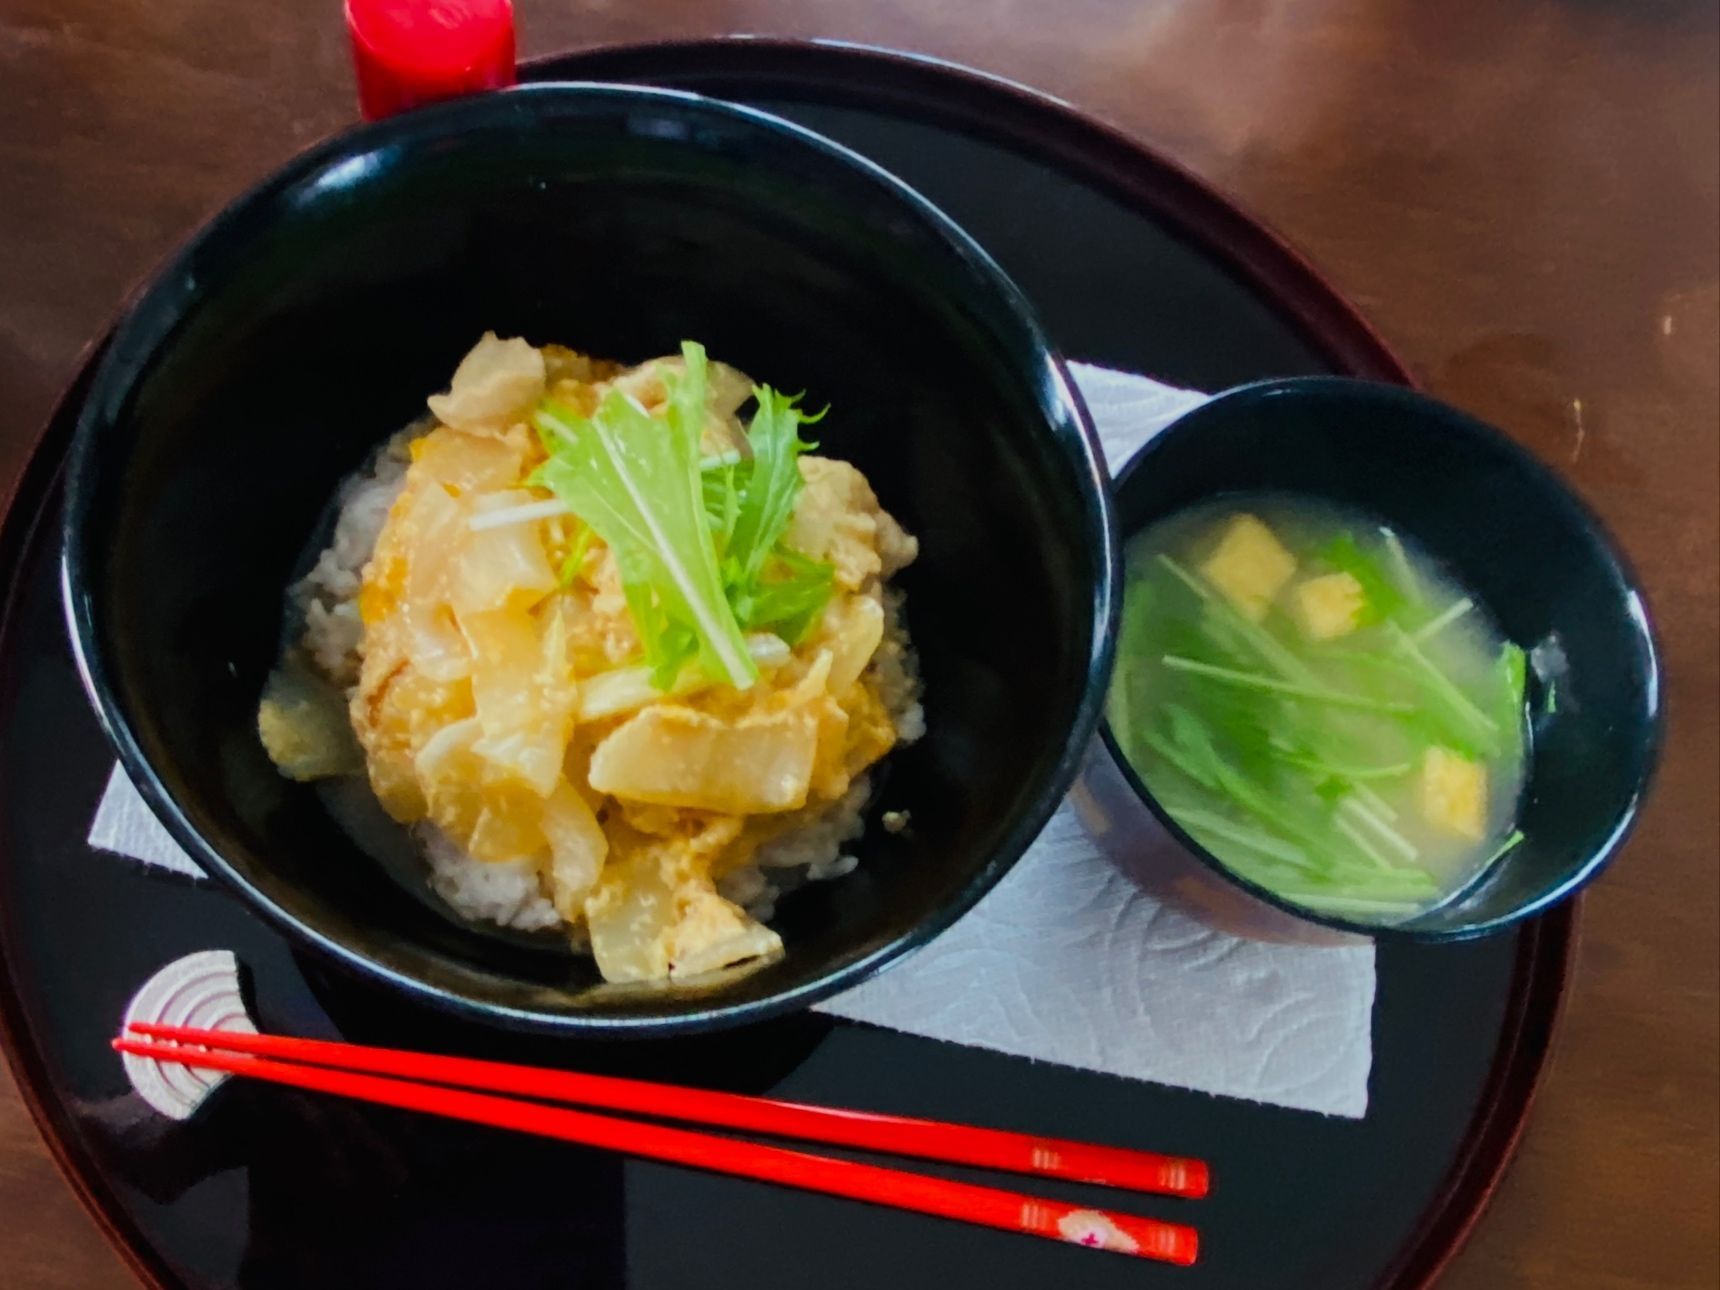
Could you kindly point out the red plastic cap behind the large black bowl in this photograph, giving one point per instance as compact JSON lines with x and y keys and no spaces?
{"x":410,"y":52}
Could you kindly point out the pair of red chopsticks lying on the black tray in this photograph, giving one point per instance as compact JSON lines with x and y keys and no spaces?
{"x":493,"y":1093}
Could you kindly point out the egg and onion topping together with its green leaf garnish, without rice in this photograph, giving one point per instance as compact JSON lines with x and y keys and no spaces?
{"x":611,"y":632}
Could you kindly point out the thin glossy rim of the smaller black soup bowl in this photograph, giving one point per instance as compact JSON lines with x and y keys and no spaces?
{"x":1399,"y":398}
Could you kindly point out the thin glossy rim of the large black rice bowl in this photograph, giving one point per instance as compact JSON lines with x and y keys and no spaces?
{"x":1057,"y":395}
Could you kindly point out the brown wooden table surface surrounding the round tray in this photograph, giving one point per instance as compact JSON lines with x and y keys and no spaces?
{"x":1520,"y":193}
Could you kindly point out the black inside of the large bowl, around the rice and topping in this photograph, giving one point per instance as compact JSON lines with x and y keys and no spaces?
{"x":314,"y":317}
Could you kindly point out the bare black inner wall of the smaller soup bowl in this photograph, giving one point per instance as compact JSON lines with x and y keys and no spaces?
{"x":1514,"y":537}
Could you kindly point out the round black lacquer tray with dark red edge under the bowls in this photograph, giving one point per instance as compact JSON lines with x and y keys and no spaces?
{"x":1133,"y":264}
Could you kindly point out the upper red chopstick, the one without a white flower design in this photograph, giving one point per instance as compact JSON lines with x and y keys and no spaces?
{"x":900,"y":1136}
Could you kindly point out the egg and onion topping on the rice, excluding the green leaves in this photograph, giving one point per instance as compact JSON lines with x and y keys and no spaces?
{"x":503,"y":701}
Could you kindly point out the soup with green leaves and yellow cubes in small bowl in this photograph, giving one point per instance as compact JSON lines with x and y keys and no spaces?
{"x":1320,"y":704}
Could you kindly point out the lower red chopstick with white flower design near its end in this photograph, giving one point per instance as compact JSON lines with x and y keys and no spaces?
{"x":969,"y":1203}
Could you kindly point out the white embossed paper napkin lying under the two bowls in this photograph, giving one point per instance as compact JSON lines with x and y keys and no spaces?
{"x":1067,"y":961}
